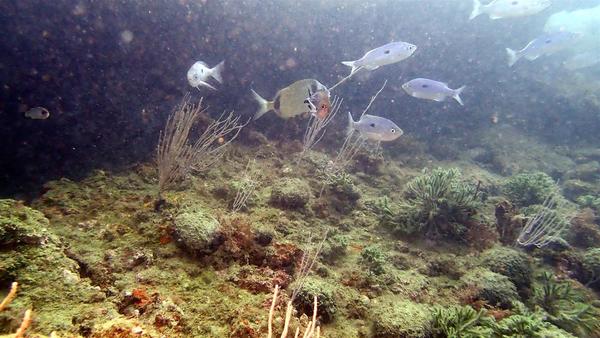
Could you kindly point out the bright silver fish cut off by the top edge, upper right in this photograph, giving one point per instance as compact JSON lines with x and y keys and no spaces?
{"x":500,"y":9}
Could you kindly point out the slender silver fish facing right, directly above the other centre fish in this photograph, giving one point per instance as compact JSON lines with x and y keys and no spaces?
{"x":387,"y":54}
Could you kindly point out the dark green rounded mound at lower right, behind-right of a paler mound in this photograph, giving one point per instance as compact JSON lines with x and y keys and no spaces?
{"x":511,"y":263}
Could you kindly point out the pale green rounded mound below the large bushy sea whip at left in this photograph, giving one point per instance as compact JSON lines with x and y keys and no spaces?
{"x":196,"y":231}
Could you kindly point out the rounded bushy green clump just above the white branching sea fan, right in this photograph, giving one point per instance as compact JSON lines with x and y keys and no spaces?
{"x":529,"y":188}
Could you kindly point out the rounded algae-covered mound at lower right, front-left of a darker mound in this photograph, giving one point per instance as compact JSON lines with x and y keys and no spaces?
{"x":493,"y":288}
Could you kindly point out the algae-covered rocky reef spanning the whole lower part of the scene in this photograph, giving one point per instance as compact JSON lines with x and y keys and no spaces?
{"x":400,"y":252}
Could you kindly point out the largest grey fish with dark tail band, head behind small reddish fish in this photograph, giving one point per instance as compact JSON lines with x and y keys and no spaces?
{"x":289,"y":101}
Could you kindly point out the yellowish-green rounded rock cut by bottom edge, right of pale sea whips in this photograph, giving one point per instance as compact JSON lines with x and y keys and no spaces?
{"x":400,"y":319}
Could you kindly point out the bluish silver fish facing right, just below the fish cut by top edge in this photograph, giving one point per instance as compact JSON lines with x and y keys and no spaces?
{"x":545,"y":44}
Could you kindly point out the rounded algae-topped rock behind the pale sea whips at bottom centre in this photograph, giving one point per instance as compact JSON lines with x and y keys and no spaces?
{"x":325,"y":293}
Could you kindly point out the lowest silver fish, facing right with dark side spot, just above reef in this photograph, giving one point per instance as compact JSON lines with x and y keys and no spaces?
{"x":375,"y":128}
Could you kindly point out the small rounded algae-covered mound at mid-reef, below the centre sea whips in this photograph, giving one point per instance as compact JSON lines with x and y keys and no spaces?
{"x":290,"y":193}
